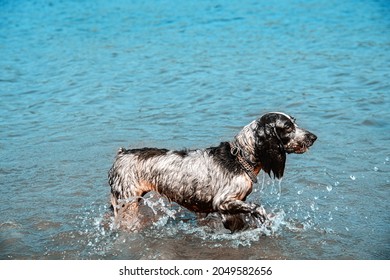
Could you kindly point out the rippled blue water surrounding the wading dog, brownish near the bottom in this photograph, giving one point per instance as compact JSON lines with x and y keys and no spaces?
{"x":79,"y":79}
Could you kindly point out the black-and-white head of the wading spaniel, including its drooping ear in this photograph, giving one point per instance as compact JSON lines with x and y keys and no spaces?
{"x":277,"y":134}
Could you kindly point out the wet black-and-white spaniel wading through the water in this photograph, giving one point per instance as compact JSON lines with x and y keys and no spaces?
{"x":216,"y":179}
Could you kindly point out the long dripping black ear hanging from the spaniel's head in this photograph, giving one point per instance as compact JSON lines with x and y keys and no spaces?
{"x":271,"y":151}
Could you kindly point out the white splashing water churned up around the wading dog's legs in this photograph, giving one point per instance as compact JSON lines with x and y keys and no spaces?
{"x":168,"y":221}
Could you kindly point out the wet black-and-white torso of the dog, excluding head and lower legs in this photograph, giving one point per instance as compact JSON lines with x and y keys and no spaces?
{"x":195,"y":179}
